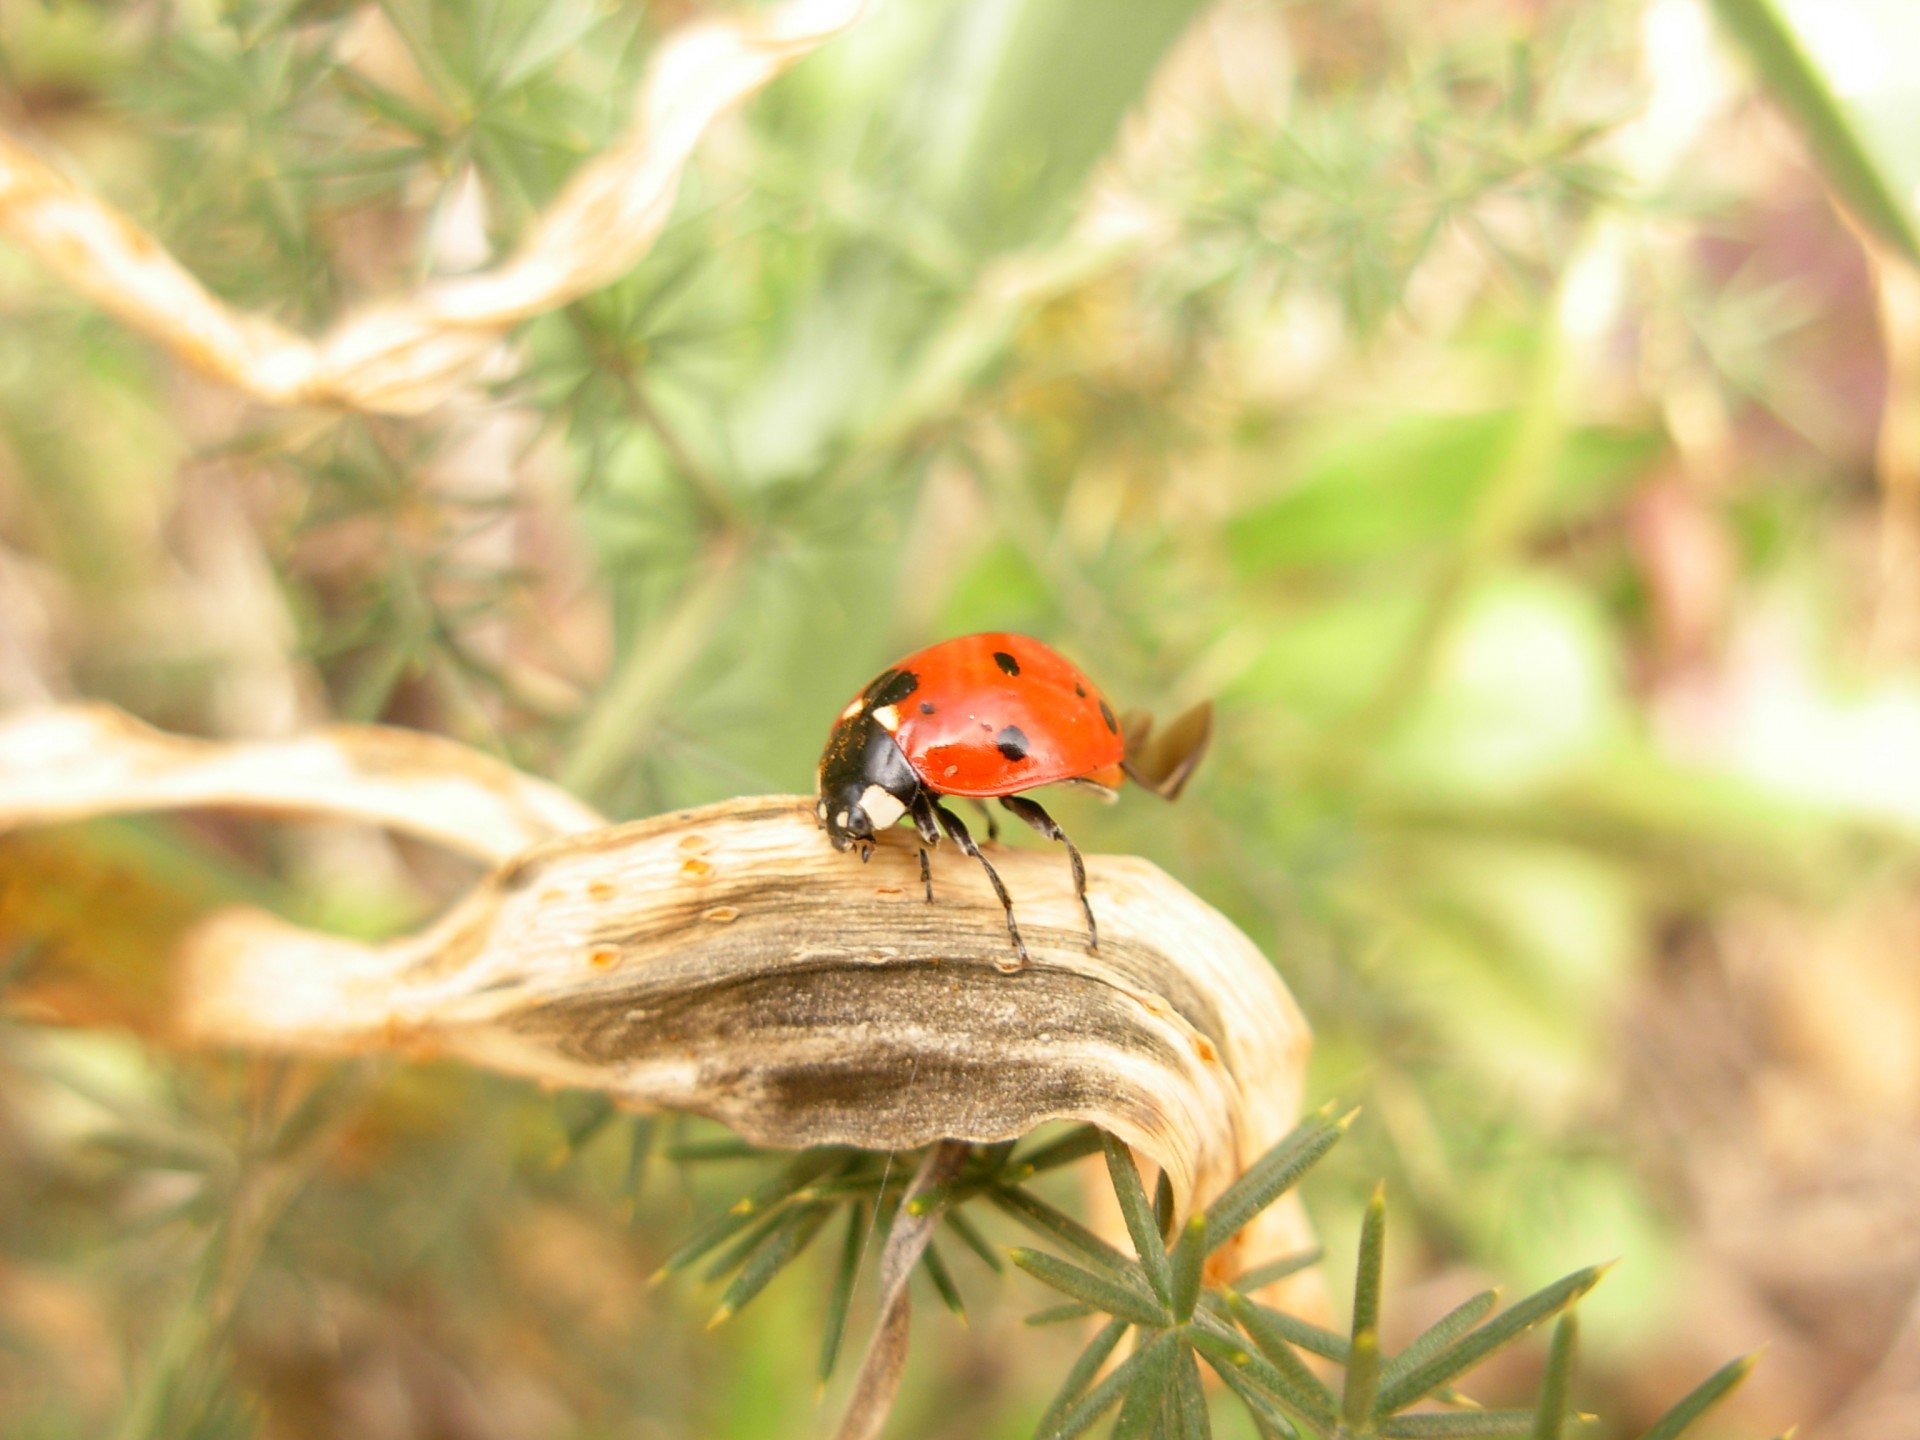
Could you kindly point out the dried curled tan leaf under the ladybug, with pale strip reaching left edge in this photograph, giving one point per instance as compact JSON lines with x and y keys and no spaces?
{"x":731,"y":963}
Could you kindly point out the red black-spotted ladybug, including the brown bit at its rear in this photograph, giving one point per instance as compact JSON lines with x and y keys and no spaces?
{"x":988,"y":717}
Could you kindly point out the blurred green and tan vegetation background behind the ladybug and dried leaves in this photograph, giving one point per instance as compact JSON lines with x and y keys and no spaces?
{"x":1487,"y":404}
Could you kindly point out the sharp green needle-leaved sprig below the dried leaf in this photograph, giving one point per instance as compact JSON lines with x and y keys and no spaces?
{"x":1180,"y":1322}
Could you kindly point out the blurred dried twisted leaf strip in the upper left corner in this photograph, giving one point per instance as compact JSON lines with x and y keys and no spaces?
{"x":408,"y":356}
